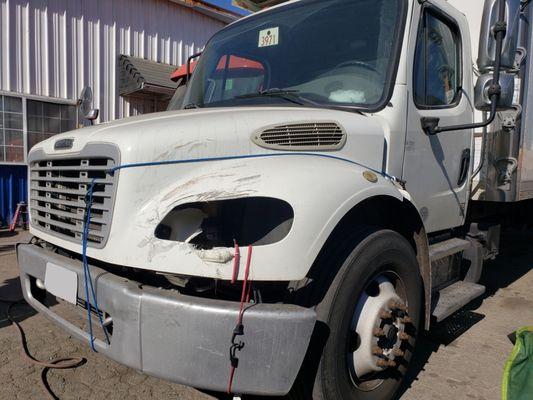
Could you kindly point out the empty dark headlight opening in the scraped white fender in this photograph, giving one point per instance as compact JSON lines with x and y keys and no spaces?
{"x":257,"y":221}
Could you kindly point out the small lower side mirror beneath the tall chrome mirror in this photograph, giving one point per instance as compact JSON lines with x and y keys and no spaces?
{"x":483,"y":92}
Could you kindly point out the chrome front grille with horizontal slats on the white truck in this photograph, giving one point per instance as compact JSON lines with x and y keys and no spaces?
{"x":58,"y":189}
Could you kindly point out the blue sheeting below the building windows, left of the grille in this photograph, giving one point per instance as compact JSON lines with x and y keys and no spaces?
{"x":13,"y":190}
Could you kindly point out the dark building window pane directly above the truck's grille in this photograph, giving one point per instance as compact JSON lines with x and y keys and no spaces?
{"x":48,"y":119}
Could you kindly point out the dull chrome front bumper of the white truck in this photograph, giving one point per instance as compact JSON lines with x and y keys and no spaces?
{"x":181,"y":338}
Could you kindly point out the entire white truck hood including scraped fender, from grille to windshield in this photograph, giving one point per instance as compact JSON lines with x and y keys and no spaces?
{"x":321,"y":190}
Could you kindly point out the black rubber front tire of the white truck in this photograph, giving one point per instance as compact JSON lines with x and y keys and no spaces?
{"x":373,"y":253}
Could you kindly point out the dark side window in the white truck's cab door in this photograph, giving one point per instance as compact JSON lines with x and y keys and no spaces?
{"x":437,"y":80}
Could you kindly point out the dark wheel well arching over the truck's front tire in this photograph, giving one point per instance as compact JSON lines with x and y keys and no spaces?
{"x":380,"y":212}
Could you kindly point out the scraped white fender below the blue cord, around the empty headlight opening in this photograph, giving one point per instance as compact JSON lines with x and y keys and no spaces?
{"x":320,"y":190}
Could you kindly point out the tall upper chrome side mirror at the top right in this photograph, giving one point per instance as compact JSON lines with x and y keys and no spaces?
{"x":487,"y":40}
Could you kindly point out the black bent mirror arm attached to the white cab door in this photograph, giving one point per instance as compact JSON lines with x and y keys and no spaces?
{"x":430,"y":125}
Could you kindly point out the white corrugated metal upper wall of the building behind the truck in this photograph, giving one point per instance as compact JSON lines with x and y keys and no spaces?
{"x":54,"y":48}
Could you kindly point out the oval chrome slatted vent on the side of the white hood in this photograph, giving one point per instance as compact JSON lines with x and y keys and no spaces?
{"x":305,"y":136}
